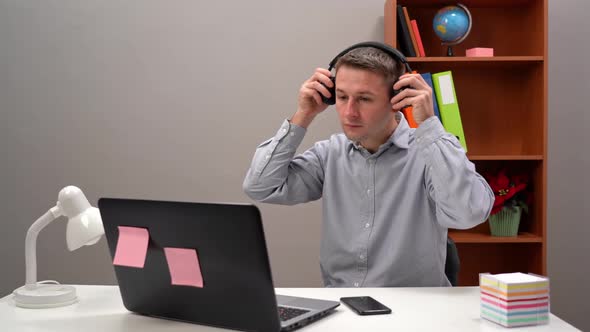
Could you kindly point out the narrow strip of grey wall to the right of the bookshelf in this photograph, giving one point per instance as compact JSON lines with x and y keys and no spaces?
{"x":568,"y":208}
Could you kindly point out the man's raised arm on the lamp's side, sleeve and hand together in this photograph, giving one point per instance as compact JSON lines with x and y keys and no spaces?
{"x":275,"y":176}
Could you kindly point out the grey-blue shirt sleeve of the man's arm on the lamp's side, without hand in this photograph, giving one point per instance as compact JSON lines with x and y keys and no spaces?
{"x":276,"y":176}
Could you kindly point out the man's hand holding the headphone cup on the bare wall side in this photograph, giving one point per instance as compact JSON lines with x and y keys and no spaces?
{"x":309,"y":102}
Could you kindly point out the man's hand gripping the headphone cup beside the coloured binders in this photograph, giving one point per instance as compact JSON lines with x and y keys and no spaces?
{"x":417,"y":94}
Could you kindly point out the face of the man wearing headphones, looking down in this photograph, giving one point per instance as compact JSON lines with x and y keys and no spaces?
{"x":362,"y":103}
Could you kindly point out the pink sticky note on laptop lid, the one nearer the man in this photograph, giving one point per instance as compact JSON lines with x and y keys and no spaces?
{"x":184,"y":268}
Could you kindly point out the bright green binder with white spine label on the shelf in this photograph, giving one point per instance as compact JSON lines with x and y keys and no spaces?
{"x":448,"y":105}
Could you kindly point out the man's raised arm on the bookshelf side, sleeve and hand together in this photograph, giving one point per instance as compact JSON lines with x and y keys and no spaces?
{"x":462,"y":197}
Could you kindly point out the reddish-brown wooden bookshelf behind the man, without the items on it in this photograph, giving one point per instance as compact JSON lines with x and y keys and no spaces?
{"x":503,"y":104}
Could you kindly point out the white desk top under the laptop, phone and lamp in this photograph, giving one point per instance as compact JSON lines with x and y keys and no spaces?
{"x":414,"y":309}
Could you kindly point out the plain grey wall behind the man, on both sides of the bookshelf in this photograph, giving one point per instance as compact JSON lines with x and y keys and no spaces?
{"x":168,"y":99}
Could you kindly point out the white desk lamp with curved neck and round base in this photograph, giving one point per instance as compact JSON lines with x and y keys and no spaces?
{"x":84,"y":228}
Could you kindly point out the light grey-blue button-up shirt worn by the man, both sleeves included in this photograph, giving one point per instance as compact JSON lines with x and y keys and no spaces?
{"x":385,"y":214}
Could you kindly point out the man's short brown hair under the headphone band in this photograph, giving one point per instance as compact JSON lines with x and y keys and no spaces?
{"x":374,"y":60}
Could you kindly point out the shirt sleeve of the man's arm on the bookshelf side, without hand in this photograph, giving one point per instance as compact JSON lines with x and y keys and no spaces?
{"x":462,"y":197}
